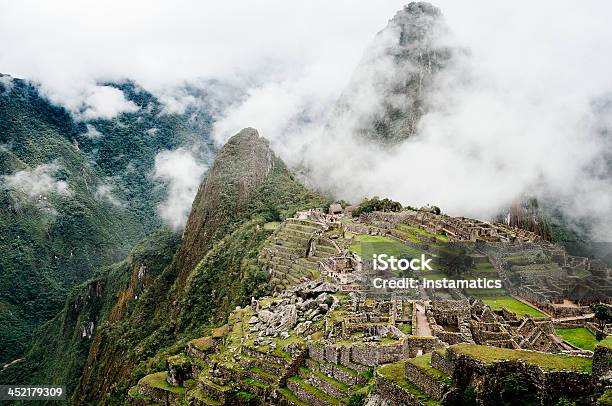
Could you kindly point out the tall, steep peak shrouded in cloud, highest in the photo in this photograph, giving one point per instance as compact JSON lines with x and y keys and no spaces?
{"x":388,"y":91}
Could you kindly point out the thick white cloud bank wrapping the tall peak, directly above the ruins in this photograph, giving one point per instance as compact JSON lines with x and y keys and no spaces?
{"x":500,"y":124}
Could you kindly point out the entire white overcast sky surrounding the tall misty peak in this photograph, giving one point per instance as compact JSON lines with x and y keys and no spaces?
{"x":536,"y":68}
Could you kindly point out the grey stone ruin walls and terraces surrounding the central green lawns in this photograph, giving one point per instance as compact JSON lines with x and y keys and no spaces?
{"x":320,"y":337}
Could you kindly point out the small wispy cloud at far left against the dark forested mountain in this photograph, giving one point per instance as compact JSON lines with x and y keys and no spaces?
{"x":38,"y":182}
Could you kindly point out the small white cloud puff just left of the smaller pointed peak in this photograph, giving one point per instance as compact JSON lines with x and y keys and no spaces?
{"x":183,"y":174}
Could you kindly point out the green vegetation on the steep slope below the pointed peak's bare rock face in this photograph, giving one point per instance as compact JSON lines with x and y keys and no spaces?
{"x":141,"y":322}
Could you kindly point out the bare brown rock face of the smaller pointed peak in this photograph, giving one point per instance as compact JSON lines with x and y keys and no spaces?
{"x":239,"y":169}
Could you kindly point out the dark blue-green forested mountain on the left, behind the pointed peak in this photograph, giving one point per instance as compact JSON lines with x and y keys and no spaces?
{"x":76,"y":195}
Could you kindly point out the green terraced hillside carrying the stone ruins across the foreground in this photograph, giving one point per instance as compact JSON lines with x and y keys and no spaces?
{"x":314,"y":343}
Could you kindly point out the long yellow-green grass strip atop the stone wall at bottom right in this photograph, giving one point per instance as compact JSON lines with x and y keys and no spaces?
{"x":552,"y":362}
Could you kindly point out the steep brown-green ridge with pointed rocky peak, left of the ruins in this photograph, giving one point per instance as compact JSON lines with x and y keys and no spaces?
{"x":137,"y":327}
